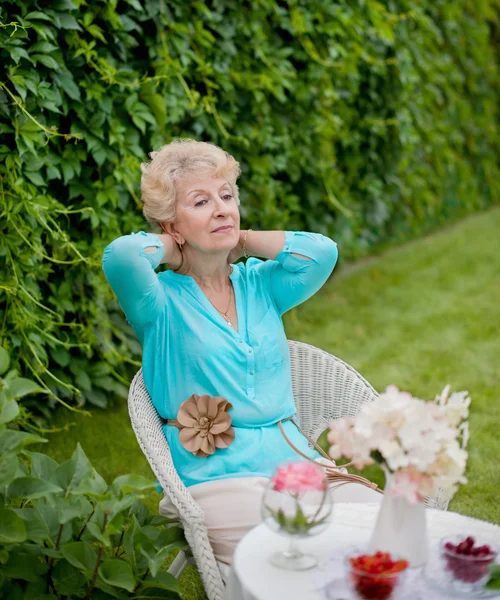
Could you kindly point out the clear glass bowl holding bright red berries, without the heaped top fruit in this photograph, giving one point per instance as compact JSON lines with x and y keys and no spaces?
{"x":367,"y":585}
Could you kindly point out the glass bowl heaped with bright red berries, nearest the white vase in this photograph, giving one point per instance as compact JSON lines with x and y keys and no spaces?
{"x":375,"y":576}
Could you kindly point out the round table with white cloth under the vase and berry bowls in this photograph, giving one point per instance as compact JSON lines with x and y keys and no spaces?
{"x":253,"y":577}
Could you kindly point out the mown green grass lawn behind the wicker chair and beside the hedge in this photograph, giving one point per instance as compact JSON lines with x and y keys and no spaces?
{"x":420,"y":316}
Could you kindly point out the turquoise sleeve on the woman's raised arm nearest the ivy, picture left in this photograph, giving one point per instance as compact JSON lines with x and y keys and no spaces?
{"x":131,"y":273}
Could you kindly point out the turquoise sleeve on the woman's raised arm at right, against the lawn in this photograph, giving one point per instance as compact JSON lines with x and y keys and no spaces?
{"x":293,"y":279}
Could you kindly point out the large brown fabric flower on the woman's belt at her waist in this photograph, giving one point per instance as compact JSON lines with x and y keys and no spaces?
{"x":204,"y":424}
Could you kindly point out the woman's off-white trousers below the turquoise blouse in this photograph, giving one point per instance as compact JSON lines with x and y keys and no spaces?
{"x":232,"y":507}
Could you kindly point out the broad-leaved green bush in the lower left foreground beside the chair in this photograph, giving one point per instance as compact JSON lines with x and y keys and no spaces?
{"x":64,"y":532}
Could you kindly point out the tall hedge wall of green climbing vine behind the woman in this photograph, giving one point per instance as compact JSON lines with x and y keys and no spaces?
{"x":367,"y":121}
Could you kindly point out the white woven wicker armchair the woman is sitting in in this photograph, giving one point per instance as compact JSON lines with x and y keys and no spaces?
{"x":324,"y":388}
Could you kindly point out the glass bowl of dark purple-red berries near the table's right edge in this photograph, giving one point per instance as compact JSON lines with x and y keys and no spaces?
{"x":466,"y":561}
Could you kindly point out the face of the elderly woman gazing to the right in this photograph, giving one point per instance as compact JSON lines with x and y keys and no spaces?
{"x":208,"y":218}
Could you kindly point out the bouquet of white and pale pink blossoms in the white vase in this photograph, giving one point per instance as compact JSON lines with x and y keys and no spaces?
{"x":422,"y":444}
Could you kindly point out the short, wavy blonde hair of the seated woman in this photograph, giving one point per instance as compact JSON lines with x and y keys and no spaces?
{"x":177,"y":160}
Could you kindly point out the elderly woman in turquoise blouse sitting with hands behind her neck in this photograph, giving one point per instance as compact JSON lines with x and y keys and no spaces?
{"x":212,"y":331}
